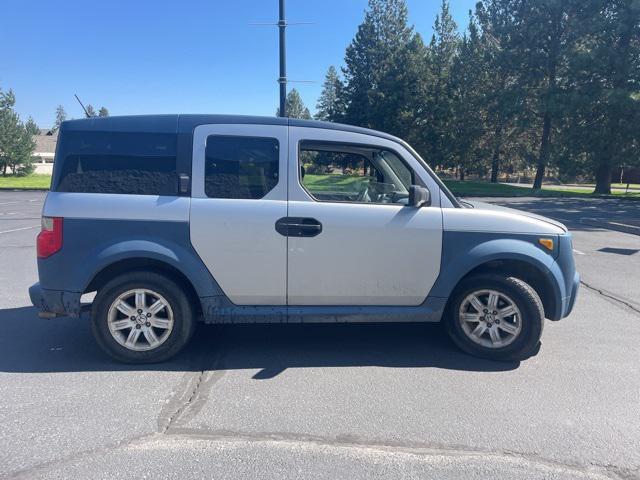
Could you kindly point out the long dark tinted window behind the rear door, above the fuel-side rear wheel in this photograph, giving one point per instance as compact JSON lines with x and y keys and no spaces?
{"x":121,"y":163}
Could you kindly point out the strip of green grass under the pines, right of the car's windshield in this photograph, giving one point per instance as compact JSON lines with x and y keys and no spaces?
{"x":480,"y":189}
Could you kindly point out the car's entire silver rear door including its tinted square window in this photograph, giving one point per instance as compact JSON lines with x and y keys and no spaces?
{"x":239,"y":192}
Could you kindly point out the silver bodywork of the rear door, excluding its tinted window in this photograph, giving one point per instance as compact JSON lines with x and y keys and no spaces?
{"x":236,"y":238}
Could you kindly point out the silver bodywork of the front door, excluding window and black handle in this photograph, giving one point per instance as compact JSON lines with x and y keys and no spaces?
{"x":367,"y":254}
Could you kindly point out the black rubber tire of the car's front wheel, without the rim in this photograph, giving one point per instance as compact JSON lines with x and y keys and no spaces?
{"x":526,"y":343}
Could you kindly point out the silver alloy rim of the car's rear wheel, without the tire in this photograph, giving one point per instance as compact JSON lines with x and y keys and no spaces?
{"x":140,"y":319}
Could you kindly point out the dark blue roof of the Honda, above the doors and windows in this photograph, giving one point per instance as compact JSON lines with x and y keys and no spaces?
{"x":185,"y":123}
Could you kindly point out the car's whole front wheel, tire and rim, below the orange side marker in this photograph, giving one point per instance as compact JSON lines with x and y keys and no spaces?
{"x":495,"y":317}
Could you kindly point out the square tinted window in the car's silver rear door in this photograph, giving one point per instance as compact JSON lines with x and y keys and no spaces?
{"x":240,"y":167}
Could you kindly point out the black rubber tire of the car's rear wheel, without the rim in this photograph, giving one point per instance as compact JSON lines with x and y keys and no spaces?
{"x":183,"y":321}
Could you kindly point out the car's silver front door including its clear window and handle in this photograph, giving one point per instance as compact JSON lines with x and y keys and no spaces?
{"x":353,"y":239}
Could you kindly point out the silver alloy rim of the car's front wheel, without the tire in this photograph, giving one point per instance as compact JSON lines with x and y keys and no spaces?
{"x":490,"y":318}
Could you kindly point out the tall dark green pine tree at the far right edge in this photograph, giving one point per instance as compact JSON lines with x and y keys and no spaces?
{"x":605,"y":70}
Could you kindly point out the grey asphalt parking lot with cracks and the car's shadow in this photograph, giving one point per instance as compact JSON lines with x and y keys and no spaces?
{"x":328,"y":401}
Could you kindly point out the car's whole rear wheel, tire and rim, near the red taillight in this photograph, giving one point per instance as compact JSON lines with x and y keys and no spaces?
{"x":142,"y":317}
